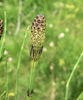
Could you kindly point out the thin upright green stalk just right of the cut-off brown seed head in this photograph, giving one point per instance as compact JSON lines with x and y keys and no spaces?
{"x":4,"y":35}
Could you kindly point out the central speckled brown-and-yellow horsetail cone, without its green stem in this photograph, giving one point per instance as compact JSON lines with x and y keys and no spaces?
{"x":37,"y":37}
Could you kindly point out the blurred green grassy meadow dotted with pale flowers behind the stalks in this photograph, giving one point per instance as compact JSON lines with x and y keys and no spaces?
{"x":62,"y":48}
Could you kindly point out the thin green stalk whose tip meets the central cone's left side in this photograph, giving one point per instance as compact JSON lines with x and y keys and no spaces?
{"x":19,"y":61}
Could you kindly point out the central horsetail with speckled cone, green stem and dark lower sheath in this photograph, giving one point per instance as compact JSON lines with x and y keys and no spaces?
{"x":37,"y":41}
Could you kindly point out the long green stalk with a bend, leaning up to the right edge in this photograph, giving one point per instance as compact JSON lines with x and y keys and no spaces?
{"x":71,"y":75}
